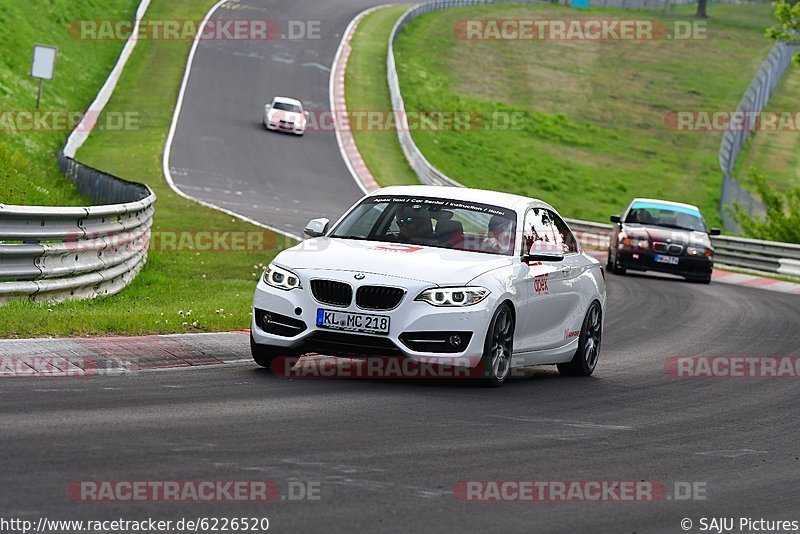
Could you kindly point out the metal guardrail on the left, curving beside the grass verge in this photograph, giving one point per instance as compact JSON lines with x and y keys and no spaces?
{"x":62,"y":253}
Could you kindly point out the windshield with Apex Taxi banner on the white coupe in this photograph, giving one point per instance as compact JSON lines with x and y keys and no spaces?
{"x":434,"y":222}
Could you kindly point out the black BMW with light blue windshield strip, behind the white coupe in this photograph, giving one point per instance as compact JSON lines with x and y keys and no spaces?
{"x":658,"y":235}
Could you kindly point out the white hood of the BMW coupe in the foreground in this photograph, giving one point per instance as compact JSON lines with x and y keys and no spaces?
{"x":439,"y":266}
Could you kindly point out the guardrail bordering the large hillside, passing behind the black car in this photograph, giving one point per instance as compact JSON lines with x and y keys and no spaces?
{"x":763,"y":256}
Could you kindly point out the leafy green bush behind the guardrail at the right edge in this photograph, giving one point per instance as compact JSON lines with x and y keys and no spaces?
{"x":782,"y":221}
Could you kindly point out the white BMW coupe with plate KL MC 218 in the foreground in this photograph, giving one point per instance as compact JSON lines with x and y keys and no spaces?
{"x":489,"y":280}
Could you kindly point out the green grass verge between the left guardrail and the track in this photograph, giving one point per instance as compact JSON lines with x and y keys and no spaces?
{"x":216,"y":286}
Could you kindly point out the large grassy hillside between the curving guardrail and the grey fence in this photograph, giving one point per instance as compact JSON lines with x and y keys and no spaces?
{"x":593,"y":133}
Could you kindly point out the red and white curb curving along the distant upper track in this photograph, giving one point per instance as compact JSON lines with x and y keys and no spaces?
{"x":344,"y":135}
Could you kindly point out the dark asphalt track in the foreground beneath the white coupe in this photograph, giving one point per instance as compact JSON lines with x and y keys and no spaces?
{"x":387,"y":454}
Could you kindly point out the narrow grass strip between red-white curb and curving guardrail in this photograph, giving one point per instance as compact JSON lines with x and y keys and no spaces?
{"x":366,"y":90}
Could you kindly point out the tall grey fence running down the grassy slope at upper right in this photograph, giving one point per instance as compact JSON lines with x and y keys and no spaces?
{"x":733,"y":140}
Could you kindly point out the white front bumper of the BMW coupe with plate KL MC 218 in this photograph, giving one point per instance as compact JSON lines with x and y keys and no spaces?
{"x":413,"y":325}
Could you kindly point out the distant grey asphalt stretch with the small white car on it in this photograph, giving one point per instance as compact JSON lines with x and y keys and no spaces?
{"x":221,"y":152}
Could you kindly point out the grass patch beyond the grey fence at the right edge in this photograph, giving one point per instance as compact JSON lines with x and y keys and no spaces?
{"x":776,"y":153}
